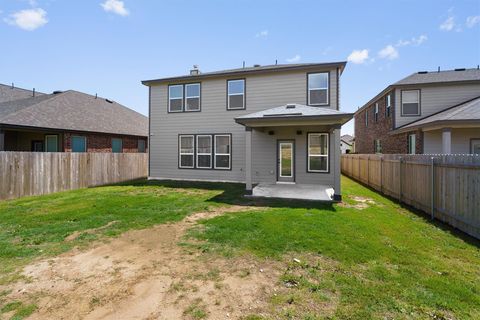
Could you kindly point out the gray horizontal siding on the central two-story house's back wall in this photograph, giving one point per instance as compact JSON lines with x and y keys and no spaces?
{"x":263,"y":91}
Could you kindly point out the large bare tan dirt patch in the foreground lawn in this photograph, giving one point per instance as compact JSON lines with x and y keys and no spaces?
{"x":144,"y":274}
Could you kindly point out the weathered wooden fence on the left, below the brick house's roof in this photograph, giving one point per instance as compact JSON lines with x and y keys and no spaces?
{"x":36,"y":173}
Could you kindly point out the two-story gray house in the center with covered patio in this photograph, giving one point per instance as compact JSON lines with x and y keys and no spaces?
{"x":256,"y":125}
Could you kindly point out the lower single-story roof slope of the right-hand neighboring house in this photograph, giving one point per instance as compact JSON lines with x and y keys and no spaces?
{"x":466,"y":111}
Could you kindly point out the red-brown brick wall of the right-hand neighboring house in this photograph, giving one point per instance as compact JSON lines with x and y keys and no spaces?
{"x":365,"y":136}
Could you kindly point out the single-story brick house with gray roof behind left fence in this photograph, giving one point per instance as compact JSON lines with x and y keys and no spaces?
{"x":68,"y":121}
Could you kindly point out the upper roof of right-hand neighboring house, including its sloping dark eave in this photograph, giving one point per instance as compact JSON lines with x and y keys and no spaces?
{"x":430,"y":77}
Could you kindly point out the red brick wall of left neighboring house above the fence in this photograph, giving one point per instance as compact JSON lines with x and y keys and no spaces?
{"x":103,"y":142}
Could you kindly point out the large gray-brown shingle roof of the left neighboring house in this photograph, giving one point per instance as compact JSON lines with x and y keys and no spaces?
{"x":74,"y":111}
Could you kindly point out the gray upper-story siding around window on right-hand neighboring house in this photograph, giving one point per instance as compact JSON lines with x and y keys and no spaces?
{"x":434,"y":99}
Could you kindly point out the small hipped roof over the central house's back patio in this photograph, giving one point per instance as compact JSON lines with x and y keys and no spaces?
{"x":294,"y":114}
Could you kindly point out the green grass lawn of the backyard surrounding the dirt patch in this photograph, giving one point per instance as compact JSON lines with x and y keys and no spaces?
{"x":380,"y":262}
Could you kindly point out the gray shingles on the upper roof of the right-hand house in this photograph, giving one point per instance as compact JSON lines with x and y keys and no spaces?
{"x":442,"y":76}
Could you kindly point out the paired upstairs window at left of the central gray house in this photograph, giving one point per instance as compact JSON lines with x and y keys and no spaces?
{"x":184,"y":97}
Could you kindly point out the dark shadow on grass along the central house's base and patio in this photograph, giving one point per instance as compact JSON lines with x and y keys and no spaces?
{"x":233,"y":194}
